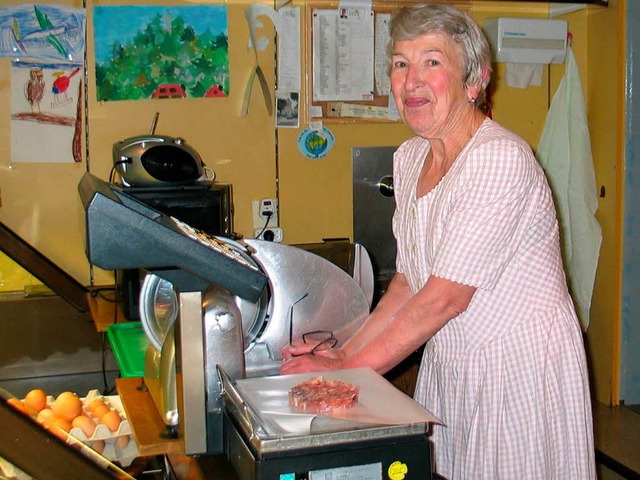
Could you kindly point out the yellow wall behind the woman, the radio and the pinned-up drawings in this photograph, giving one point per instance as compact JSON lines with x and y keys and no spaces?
{"x":40,"y":201}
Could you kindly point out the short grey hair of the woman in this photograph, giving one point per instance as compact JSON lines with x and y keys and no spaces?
{"x":415,"y":20}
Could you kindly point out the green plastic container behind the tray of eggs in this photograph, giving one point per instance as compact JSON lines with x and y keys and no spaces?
{"x":129,"y":345}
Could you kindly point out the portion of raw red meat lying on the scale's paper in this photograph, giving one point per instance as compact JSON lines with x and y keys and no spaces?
{"x":320,"y":395}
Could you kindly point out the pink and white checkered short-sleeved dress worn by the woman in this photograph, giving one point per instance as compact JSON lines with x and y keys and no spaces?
{"x":508,"y":377}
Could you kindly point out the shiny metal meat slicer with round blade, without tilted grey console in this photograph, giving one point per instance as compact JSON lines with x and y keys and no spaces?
{"x":215,"y":328}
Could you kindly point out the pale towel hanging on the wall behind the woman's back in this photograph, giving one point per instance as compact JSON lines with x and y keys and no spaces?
{"x":565,"y":154}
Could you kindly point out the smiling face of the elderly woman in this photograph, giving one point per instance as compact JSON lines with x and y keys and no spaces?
{"x":427,"y":85}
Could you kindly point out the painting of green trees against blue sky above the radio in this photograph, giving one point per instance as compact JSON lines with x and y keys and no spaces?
{"x":161,"y":52}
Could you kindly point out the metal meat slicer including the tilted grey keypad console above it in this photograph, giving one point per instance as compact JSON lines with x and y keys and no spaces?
{"x":211,"y":302}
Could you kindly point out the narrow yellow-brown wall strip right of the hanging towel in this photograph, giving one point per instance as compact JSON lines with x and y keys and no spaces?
{"x":604,"y":91}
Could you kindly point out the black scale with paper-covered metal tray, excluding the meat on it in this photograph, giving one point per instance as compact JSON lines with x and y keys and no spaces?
{"x":385,"y":436}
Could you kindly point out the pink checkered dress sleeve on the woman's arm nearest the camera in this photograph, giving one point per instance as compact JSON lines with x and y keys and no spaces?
{"x":489,"y":213}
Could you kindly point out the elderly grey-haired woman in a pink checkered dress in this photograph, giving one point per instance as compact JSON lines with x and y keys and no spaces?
{"x":479,"y":273}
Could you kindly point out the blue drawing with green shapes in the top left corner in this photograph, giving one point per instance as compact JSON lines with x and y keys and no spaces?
{"x":47,"y":33}
